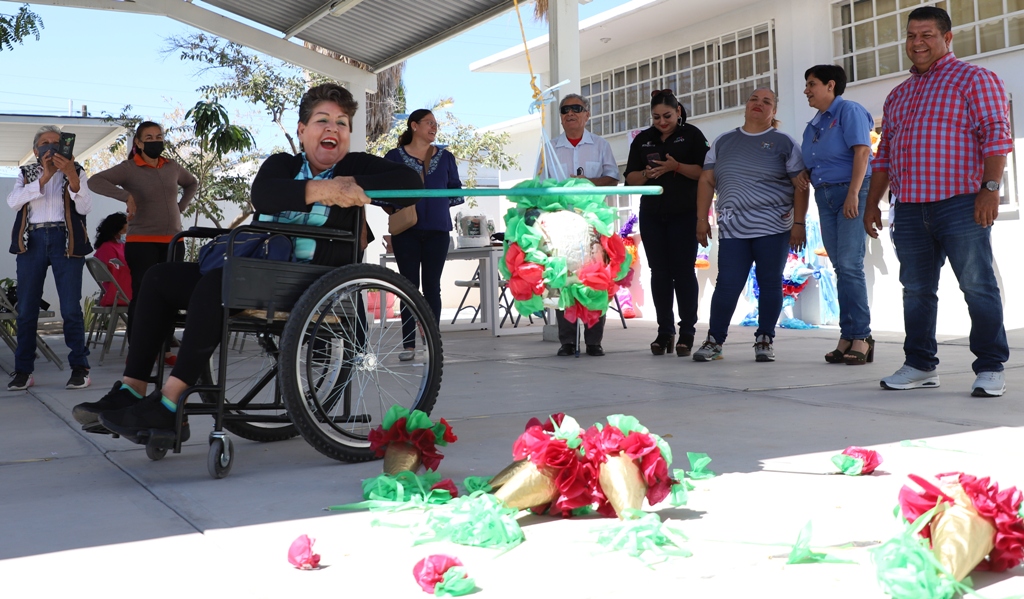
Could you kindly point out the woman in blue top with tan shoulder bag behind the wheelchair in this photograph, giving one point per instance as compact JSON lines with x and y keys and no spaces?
{"x":424,"y":246}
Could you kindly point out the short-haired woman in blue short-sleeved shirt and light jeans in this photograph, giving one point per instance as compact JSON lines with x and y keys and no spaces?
{"x":837,"y":152}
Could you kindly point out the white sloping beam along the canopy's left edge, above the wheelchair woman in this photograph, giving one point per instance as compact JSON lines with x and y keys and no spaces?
{"x":355,"y":79}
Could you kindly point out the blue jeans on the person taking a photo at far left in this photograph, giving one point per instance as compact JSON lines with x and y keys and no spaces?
{"x":47,"y":248}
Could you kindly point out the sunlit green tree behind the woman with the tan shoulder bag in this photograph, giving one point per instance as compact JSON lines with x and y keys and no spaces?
{"x":464,"y":142}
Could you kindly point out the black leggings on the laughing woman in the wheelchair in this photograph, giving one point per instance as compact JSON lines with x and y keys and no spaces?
{"x":168,"y":288}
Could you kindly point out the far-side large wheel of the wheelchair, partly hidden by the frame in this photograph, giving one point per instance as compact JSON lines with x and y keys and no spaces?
{"x":251,"y":379}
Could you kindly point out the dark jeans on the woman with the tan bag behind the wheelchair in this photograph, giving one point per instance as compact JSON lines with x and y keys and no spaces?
{"x":428,"y":250}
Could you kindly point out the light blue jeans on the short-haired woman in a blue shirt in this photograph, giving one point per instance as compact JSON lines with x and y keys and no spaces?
{"x":845,"y":242}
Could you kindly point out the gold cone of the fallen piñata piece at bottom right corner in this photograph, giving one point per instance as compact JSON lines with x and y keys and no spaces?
{"x":961,"y":537}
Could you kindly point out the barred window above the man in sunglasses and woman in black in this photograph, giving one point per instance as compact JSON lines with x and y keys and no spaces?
{"x":712,"y":76}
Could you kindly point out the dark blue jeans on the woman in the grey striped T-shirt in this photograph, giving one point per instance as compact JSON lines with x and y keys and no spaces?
{"x":735,"y":259}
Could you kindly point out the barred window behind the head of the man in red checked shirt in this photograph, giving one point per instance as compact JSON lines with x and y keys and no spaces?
{"x":868,"y":35}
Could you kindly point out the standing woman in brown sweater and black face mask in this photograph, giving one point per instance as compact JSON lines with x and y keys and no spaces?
{"x":149,"y":184}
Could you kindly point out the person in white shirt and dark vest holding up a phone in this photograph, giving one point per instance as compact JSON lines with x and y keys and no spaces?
{"x":52,"y":199}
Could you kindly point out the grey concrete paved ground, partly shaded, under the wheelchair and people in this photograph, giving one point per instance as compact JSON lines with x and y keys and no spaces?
{"x":93,"y":517}
